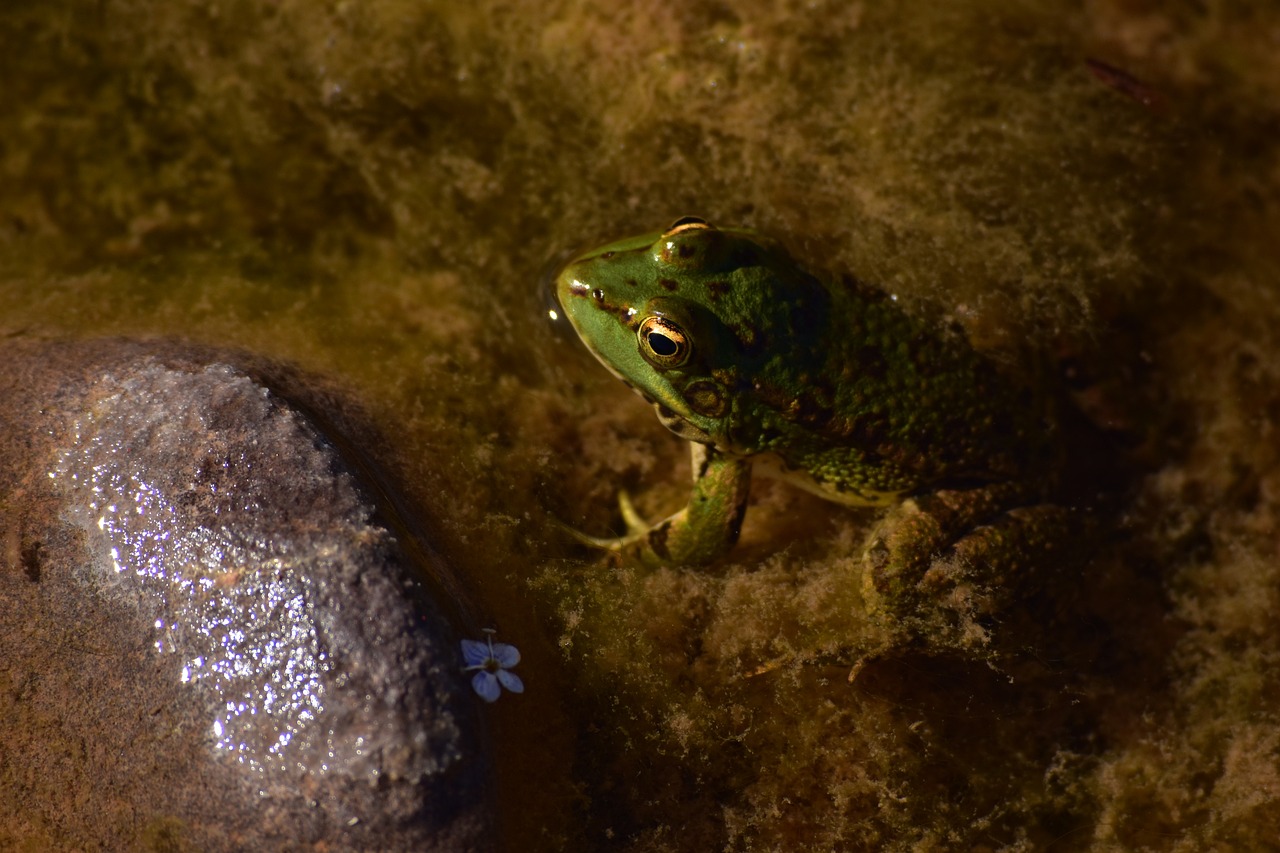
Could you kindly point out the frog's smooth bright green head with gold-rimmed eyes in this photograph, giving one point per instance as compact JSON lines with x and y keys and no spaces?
{"x":680,"y":317}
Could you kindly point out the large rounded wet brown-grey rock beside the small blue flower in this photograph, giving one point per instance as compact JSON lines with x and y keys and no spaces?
{"x":211,"y":638}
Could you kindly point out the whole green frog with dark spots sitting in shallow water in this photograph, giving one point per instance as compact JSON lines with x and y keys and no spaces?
{"x":824,"y":382}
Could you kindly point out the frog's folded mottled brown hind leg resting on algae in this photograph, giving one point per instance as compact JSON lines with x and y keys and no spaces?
{"x":964,"y":550}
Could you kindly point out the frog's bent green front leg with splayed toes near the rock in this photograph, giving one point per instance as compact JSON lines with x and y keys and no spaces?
{"x":701,"y":533}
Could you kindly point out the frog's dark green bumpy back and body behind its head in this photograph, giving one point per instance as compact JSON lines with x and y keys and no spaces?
{"x":877,"y":404}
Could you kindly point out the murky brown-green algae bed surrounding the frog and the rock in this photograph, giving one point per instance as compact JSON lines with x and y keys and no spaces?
{"x":373,"y":190}
